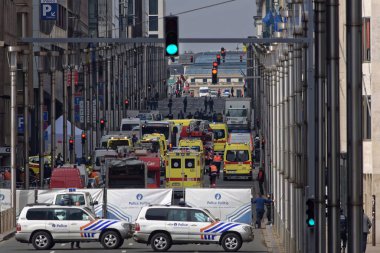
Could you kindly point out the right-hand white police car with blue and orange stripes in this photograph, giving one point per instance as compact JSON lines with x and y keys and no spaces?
{"x":163,"y":226}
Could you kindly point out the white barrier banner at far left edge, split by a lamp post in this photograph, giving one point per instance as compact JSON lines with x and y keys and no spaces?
{"x":23,"y":197}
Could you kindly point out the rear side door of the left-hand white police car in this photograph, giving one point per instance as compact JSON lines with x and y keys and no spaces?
{"x":58,"y":224}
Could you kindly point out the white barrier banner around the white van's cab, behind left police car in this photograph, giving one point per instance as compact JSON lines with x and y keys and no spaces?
{"x":47,"y":196}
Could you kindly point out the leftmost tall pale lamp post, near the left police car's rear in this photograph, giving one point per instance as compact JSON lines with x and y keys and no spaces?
{"x":12,"y":62}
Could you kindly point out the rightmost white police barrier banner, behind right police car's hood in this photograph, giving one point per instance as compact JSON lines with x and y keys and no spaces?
{"x":226,"y":204}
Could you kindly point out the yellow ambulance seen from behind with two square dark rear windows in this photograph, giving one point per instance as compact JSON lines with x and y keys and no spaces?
{"x":184,"y":169}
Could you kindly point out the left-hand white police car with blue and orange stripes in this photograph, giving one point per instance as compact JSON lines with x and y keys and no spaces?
{"x":43,"y":225}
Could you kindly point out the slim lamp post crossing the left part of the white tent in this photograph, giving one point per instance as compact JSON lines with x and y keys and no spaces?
{"x":53,"y":55}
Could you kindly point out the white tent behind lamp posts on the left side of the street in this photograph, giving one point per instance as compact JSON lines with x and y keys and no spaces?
{"x":59,"y":137}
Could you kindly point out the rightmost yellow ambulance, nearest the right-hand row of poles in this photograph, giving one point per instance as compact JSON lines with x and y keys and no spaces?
{"x":237,"y":161}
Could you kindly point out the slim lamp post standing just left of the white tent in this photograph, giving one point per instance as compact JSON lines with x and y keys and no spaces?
{"x":40,"y":62}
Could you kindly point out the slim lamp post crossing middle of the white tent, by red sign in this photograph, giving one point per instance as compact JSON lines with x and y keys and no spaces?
{"x":66,"y":74}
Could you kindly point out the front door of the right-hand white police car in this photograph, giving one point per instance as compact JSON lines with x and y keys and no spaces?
{"x":201,"y":226}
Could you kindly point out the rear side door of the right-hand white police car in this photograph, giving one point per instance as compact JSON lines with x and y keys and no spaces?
{"x":177,"y":224}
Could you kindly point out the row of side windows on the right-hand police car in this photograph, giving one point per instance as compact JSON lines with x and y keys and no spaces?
{"x":184,"y":215}
